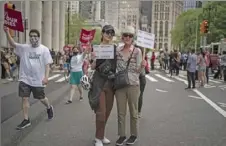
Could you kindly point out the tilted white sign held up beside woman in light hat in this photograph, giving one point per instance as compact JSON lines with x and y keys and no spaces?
{"x":145,"y":39}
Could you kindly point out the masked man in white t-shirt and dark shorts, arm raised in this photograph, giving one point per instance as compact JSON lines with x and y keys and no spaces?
{"x":35,"y":59}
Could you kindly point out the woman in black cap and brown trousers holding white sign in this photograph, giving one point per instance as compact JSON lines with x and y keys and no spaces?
{"x":101,"y":94}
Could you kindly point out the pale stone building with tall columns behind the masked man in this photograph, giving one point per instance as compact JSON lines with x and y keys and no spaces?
{"x":46,"y":16}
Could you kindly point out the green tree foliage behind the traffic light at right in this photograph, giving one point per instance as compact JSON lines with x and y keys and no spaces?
{"x":184,"y":32}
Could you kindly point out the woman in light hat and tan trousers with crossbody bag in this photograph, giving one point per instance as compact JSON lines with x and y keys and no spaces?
{"x":126,"y":83}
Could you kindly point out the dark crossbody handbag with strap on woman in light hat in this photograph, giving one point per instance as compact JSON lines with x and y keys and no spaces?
{"x":121,"y":78}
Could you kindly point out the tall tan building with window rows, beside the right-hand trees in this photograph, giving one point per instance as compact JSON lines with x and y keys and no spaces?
{"x":164,"y":14}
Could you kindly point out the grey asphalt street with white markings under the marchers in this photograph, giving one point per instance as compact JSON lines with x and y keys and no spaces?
{"x":171,"y":116}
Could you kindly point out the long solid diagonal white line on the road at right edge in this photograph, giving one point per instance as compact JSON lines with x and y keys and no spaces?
{"x":211,"y":103}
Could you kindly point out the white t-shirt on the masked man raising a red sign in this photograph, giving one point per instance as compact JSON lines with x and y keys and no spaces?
{"x":32,"y":63}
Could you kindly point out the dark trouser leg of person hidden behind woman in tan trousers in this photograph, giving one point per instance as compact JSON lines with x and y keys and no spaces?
{"x":142,"y":87}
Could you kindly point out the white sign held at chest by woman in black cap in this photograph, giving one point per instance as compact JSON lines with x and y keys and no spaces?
{"x":104,"y":51}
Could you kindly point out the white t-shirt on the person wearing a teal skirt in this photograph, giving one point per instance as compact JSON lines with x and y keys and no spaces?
{"x":77,"y":62}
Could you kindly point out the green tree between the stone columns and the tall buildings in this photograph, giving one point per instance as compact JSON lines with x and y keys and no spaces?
{"x":75,"y":26}
